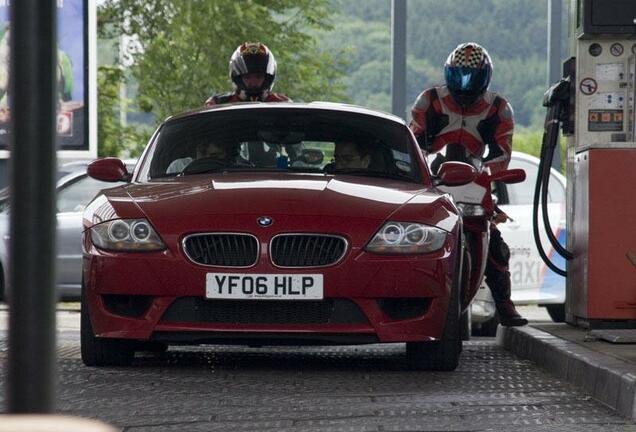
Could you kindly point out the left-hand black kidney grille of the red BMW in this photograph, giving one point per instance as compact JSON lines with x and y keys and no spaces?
{"x":228,"y":250}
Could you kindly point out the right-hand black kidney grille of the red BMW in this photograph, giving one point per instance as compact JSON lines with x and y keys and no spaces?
{"x":307,"y":250}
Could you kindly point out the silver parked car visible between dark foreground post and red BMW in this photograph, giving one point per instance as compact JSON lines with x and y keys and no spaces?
{"x":72,"y":197}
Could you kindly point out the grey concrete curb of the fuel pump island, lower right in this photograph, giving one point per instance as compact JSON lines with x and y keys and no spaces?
{"x":606,"y":378}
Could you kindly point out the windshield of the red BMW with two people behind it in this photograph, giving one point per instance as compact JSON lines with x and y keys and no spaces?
{"x":280,"y":139}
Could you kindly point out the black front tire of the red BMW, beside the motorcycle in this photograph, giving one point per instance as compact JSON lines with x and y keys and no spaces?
{"x":442,"y":355}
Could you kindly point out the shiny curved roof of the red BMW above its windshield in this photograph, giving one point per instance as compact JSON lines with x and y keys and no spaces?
{"x":317,"y":105}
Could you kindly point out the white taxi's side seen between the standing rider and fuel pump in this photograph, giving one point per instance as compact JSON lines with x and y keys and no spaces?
{"x":532,"y":281}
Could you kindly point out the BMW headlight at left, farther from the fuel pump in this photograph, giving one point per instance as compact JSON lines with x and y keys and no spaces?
{"x":128,"y":235}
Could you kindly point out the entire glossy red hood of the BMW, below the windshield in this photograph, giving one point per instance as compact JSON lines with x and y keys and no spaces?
{"x":296,"y":202}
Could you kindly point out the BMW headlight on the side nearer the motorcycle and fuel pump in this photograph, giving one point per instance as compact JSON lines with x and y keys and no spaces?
{"x":406,"y":238}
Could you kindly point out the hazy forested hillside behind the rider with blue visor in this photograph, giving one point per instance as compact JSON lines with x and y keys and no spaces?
{"x":513,"y":31}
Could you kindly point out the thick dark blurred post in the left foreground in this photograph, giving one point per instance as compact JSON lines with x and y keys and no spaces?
{"x":32,"y":301}
